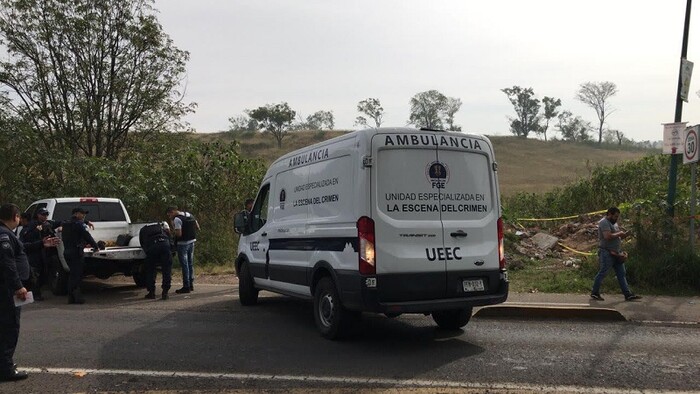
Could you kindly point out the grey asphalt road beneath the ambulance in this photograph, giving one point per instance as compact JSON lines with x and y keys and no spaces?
{"x":206,"y":341}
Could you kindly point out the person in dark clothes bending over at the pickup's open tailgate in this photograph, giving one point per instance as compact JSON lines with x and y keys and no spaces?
{"x":156,"y":243}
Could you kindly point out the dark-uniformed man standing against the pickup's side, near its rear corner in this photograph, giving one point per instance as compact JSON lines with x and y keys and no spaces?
{"x":75,"y":237}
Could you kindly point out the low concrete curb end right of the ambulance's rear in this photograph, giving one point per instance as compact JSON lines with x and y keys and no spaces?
{"x":551,"y":313}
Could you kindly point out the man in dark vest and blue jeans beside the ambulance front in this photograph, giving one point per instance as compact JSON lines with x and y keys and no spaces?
{"x":185,"y":228}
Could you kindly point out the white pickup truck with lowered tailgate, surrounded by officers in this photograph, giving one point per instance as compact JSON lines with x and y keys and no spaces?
{"x":112,"y":225}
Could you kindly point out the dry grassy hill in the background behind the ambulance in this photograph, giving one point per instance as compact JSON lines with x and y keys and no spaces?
{"x":526,"y":165}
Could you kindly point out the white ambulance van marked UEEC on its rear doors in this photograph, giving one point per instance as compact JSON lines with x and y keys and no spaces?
{"x":389,"y":220}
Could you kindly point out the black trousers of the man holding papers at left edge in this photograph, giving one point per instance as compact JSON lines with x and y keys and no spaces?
{"x":9,"y":329}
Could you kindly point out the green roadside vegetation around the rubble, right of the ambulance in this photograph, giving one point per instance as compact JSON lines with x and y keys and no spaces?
{"x":660,"y":258}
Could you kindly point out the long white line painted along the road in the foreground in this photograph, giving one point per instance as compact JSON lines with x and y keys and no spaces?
{"x":338,"y":380}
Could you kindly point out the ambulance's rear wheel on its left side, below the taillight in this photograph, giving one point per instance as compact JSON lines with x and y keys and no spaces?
{"x":332,"y":319}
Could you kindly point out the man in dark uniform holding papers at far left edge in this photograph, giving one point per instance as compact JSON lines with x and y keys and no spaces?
{"x":15,"y":267}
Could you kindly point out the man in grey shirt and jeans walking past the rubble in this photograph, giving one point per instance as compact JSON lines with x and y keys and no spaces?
{"x":610,"y":254}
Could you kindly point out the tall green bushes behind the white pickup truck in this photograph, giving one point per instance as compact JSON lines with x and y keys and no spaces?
{"x":210,"y":180}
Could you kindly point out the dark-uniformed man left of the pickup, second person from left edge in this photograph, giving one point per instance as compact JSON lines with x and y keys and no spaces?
{"x":34,"y":236}
